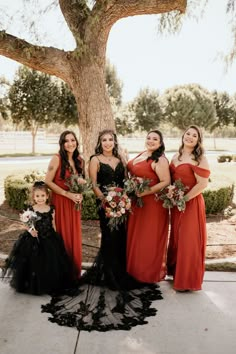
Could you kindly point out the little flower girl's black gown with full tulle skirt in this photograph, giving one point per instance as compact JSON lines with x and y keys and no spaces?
{"x":38,"y":265}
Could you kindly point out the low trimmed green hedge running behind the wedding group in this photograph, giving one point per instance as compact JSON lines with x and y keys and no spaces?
{"x":17,"y":195}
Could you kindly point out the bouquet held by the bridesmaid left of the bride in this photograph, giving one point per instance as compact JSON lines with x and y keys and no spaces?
{"x":77,"y":184}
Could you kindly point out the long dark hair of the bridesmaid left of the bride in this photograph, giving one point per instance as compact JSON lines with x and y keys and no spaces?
{"x":64,"y":157}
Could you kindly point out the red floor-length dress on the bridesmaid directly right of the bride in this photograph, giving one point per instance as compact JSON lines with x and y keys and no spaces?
{"x":147,"y":232}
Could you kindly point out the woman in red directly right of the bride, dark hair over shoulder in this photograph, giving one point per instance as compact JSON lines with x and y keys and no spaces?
{"x":148,"y":225}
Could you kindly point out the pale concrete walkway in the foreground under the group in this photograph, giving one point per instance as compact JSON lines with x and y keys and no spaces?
{"x":201,"y":322}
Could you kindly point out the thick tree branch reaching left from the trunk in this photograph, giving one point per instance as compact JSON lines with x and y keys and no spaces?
{"x":50,"y":60}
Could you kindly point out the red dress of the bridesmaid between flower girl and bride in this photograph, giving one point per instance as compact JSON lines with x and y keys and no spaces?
{"x":68,"y":223}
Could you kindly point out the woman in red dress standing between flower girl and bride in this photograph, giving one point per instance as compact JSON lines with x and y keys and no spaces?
{"x":68,"y":219}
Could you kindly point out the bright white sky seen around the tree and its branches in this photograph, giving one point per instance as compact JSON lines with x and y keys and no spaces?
{"x":143,"y":58}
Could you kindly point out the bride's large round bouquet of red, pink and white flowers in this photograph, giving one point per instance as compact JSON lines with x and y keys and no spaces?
{"x":116,"y":205}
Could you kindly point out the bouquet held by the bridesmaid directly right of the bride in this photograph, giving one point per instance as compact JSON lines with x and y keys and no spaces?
{"x":135,"y":185}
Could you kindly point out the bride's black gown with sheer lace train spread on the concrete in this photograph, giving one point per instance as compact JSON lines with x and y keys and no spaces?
{"x":106,"y":298}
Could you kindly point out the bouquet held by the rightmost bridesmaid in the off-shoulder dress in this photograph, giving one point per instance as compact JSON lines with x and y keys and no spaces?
{"x":174,"y":195}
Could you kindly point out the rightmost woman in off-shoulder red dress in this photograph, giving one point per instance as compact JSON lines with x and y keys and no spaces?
{"x":186,"y":250}
